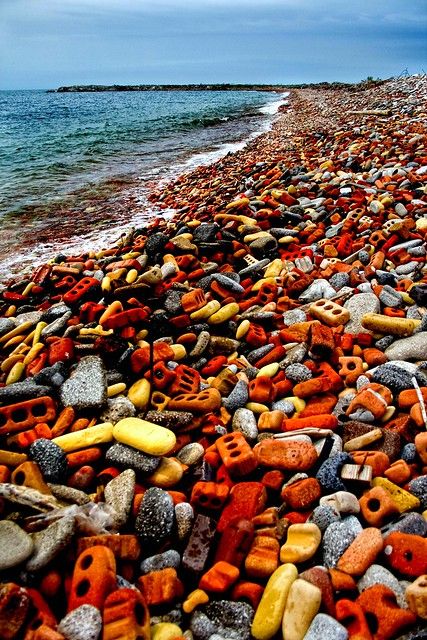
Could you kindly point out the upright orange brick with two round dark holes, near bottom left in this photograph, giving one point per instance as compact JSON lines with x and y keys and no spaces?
{"x":94,"y":578}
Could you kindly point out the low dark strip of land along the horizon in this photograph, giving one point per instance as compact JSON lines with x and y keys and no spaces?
{"x":192,"y":87}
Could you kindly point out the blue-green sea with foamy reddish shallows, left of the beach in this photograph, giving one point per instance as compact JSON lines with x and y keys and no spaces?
{"x":70,"y":163}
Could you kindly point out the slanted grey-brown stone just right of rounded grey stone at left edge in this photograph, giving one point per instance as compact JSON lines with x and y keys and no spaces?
{"x":51,"y":541}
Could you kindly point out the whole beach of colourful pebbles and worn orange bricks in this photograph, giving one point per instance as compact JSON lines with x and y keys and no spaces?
{"x":216,"y":429}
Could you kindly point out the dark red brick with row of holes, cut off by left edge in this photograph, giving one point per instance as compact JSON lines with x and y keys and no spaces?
{"x":25,"y":415}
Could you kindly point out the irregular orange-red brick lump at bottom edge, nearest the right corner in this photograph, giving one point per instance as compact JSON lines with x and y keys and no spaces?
{"x":388,"y":619}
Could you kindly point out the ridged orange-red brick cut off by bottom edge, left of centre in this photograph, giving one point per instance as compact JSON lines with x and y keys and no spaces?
{"x":126,"y":616}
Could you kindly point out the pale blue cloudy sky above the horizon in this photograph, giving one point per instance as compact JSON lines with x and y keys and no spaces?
{"x":49,"y":43}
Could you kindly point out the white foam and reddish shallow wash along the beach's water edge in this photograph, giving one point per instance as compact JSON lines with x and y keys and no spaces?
{"x":61,"y":225}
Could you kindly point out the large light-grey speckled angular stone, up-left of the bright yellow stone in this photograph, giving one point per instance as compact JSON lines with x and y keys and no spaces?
{"x":87,"y":386}
